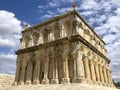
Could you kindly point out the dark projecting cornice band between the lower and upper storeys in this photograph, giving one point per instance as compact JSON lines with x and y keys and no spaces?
{"x":61,"y":42}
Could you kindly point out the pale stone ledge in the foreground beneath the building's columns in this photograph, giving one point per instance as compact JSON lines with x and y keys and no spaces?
{"x":59,"y":87}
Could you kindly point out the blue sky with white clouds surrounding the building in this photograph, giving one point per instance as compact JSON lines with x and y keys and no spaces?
{"x":102,"y":15}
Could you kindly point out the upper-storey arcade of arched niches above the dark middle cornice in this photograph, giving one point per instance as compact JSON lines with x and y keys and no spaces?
{"x":59,"y":30}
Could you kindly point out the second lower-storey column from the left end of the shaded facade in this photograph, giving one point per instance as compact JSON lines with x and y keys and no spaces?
{"x":22,"y":75}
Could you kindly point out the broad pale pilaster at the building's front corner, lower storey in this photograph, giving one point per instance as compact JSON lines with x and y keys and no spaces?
{"x":78,"y":68}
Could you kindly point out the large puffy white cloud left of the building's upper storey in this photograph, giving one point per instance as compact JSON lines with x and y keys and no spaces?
{"x":10,"y":28}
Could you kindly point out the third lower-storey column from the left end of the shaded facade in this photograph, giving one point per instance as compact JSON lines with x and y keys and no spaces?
{"x":29,"y":73}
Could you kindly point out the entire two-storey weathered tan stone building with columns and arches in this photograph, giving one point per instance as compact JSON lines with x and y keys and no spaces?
{"x":64,"y":49}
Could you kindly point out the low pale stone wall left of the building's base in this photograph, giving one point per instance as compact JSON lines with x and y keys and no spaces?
{"x":6,"y":80}
